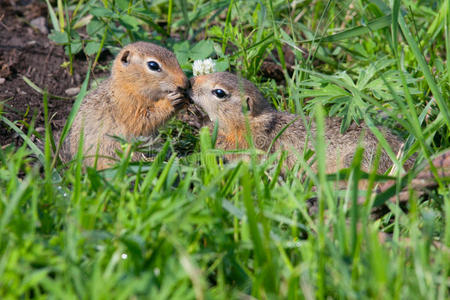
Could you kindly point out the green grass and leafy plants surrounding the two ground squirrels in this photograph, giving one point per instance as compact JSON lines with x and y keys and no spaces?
{"x":192,"y":227}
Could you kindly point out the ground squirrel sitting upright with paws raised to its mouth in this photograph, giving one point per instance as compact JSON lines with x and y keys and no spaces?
{"x":146,"y":87}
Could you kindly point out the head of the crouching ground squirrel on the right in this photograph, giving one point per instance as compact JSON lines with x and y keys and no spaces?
{"x":225,"y":97}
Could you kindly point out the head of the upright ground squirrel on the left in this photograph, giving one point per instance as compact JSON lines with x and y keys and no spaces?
{"x":148,"y":70}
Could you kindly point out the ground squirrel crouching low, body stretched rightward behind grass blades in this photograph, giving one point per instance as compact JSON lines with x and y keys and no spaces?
{"x":222,"y":96}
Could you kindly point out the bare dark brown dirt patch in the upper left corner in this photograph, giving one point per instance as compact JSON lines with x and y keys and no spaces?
{"x":26,"y":51}
